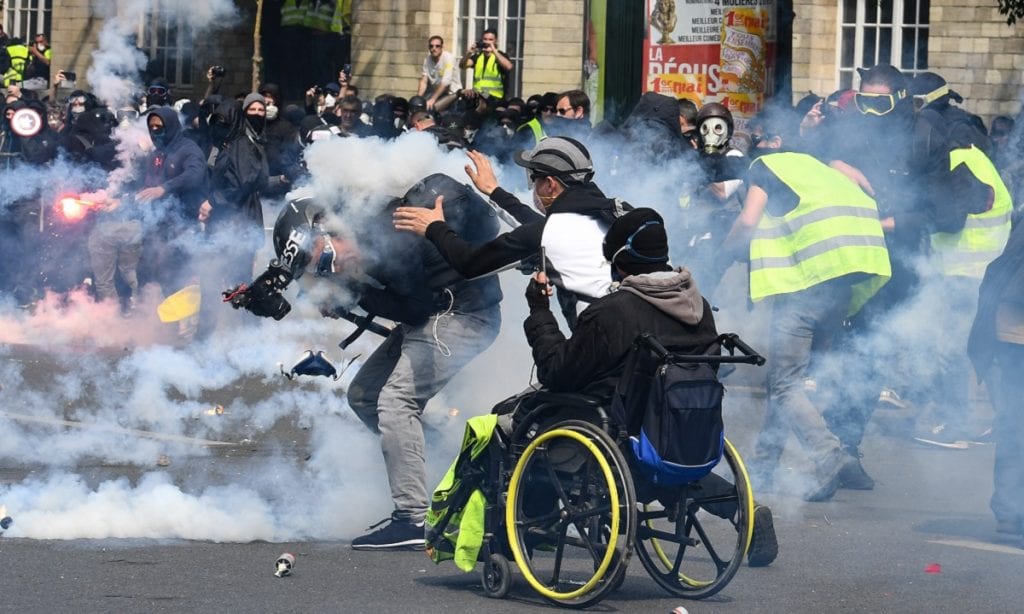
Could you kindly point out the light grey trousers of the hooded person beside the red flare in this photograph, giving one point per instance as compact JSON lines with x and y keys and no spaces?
{"x":115,"y":246}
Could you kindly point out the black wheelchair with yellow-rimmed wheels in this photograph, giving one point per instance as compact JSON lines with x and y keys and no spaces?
{"x":568,"y":505}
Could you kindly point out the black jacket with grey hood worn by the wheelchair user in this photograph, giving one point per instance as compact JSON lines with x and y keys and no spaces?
{"x":592,"y":361}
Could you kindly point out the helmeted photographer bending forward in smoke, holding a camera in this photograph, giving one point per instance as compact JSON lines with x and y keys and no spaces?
{"x":444,"y":321}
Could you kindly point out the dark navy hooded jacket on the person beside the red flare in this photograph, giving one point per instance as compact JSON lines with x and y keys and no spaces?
{"x":178,"y":166}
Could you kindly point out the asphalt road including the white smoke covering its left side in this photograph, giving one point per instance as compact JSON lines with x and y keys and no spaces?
{"x":922,"y":542}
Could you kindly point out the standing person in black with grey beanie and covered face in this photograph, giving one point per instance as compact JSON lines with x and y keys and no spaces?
{"x":239,"y":174}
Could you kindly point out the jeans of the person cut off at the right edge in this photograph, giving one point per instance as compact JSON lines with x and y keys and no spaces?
{"x":1007,"y":389}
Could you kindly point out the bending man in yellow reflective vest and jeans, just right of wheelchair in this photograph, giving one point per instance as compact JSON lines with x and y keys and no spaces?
{"x":818,"y":251}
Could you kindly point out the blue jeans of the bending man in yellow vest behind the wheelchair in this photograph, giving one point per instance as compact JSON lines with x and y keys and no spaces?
{"x":799,"y":321}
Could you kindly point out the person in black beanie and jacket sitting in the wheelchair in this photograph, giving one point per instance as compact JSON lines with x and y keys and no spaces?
{"x":651,"y":296}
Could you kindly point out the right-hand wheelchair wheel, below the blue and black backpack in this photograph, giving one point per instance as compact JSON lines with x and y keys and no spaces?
{"x":692,"y":543}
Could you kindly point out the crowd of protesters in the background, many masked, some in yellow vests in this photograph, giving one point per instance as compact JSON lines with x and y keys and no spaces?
{"x":902,"y":174}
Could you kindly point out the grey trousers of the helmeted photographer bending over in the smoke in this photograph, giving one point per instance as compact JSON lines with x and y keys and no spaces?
{"x":394,"y":386}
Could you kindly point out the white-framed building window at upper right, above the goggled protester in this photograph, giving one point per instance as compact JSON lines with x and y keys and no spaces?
{"x":882,"y":32}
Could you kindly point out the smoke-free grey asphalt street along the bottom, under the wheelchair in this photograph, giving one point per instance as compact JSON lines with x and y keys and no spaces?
{"x":922,"y":542}
